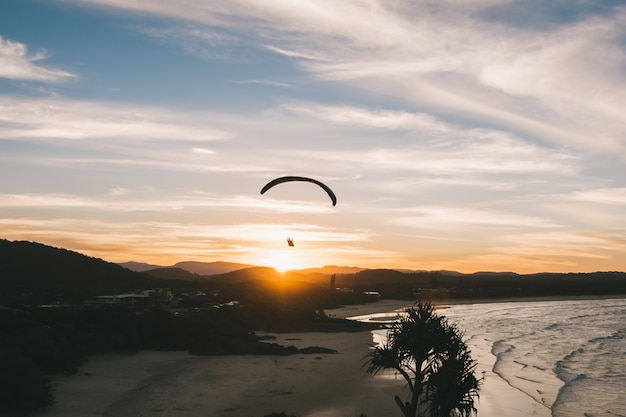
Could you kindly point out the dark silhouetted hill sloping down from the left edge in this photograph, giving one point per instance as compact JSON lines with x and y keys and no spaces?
{"x":39,"y":273}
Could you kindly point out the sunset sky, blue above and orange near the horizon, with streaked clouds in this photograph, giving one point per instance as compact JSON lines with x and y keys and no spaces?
{"x":467,"y":135}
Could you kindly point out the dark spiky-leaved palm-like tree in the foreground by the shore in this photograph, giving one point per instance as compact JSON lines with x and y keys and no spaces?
{"x":431,"y":356}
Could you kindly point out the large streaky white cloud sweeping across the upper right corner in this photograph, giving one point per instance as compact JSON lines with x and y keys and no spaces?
{"x":562,"y":82}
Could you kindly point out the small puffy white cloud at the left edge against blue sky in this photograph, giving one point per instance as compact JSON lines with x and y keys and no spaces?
{"x":16,"y":64}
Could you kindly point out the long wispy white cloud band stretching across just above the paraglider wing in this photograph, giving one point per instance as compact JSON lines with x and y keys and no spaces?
{"x":421,"y":143}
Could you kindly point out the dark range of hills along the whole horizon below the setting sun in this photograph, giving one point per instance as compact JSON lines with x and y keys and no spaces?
{"x":60,"y":275}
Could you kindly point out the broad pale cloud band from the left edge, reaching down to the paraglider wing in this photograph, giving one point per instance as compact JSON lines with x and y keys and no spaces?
{"x":402,"y":152}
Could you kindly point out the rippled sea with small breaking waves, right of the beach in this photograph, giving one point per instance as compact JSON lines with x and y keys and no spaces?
{"x":569,"y":356}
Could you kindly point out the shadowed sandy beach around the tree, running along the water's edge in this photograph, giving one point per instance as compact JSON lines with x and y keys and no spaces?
{"x":328,"y":385}
